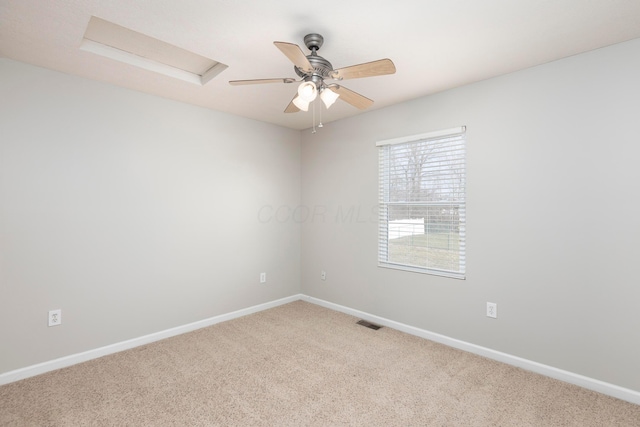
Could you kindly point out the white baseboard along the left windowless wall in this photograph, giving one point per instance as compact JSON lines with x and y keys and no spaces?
{"x":73,"y":359}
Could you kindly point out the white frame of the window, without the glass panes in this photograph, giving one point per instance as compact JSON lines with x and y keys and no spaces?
{"x":436,"y":137}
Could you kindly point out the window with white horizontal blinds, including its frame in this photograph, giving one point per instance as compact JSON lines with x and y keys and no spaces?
{"x":422,"y":203}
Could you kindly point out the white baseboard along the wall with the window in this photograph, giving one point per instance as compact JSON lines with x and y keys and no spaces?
{"x":613,"y":390}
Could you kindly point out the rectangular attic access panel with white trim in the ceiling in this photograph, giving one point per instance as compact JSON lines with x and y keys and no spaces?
{"x":131,"y":47}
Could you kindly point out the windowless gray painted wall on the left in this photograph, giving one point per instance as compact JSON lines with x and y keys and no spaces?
{"x":133,"y":214}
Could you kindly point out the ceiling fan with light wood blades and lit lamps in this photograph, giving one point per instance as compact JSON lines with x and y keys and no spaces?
{"x":313,"y":70}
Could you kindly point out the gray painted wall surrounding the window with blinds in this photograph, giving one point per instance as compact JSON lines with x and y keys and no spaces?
{"x":553,"y":215}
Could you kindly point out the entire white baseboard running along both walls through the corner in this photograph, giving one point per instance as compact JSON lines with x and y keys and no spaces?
{"x":613,"y":390}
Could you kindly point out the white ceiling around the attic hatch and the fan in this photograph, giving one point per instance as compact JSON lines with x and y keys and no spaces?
{"x":435,"y":44}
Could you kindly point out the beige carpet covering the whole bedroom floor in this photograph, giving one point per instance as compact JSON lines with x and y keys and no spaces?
{"x":302,"y":365}
